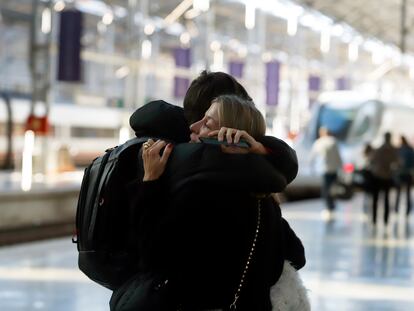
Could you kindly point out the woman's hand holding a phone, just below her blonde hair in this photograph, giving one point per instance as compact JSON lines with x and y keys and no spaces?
{"x":233,"y":136}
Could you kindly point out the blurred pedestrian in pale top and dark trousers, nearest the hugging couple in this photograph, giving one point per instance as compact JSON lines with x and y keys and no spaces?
{"x":326,"y":148}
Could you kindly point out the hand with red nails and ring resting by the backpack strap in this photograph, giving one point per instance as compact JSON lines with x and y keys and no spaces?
{"x":154,"y":164}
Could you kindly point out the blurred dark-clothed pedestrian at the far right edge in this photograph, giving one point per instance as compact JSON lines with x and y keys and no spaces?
{"x":405,"y":172}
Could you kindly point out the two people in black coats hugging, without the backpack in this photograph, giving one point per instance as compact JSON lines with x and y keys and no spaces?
{"x":209,"y":231}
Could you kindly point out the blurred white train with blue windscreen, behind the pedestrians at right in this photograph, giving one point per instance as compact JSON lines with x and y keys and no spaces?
{"x":354,"y":119}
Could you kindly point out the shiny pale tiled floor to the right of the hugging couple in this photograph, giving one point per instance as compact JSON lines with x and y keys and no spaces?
{"x":351,"y":265}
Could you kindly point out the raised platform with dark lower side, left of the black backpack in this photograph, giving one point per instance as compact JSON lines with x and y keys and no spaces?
{"x":45,"y":208}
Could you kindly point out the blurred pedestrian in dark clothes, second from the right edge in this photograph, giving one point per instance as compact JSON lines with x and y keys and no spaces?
{"x":384,"y":162}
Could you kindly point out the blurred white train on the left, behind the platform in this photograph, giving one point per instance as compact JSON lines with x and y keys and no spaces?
{"x":86,"y":131}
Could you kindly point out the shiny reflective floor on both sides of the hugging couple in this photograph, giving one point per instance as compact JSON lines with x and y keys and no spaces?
{"x":350,"y":266}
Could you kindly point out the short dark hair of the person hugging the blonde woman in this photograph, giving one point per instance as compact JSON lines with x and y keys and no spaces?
{"x":206,"y":87}
